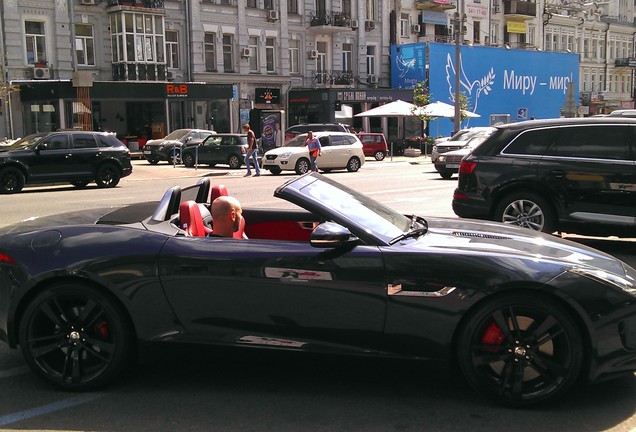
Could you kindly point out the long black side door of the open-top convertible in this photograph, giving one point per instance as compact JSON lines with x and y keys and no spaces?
{"x":275,"y":292}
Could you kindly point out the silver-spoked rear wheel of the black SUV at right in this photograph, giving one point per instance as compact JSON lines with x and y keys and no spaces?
{"x":526,"y":210}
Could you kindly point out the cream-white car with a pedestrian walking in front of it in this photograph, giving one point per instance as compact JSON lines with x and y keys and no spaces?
{"x":339,"y":150}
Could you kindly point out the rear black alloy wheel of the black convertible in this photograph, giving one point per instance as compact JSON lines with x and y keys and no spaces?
{"x":75,"y":337}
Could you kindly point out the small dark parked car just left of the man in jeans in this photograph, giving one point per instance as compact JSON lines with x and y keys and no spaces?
{"x":217,"y":149}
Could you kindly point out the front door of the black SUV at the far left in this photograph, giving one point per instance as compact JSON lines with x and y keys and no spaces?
{"x":52,"y":159}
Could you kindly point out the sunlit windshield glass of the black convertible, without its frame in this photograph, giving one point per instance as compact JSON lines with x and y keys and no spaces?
{"x":357,"y":209}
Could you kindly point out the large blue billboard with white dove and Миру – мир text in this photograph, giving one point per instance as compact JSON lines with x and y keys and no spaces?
{"x":522,"y":84}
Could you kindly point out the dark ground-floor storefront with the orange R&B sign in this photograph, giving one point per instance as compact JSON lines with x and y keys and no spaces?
{"x":130,"y":109}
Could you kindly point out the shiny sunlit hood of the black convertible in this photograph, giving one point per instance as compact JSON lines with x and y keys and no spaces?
{"x":492,"y":238}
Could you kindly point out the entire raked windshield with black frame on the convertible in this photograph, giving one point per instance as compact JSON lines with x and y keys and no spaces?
{"x":366,"y":218}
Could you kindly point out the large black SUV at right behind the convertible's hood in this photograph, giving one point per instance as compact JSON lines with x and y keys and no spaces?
{"x":571,"y":175}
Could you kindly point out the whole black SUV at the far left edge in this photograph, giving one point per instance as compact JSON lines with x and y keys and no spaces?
{"x":77,"y":157}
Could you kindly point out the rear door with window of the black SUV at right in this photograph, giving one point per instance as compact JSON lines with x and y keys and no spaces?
{"x":592,"y":170}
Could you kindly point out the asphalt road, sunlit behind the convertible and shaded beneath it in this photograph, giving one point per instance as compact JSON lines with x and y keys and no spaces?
{"x":194,"y":388}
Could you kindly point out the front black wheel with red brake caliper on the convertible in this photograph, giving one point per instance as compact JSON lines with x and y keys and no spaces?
{"x":520,"y":349}
